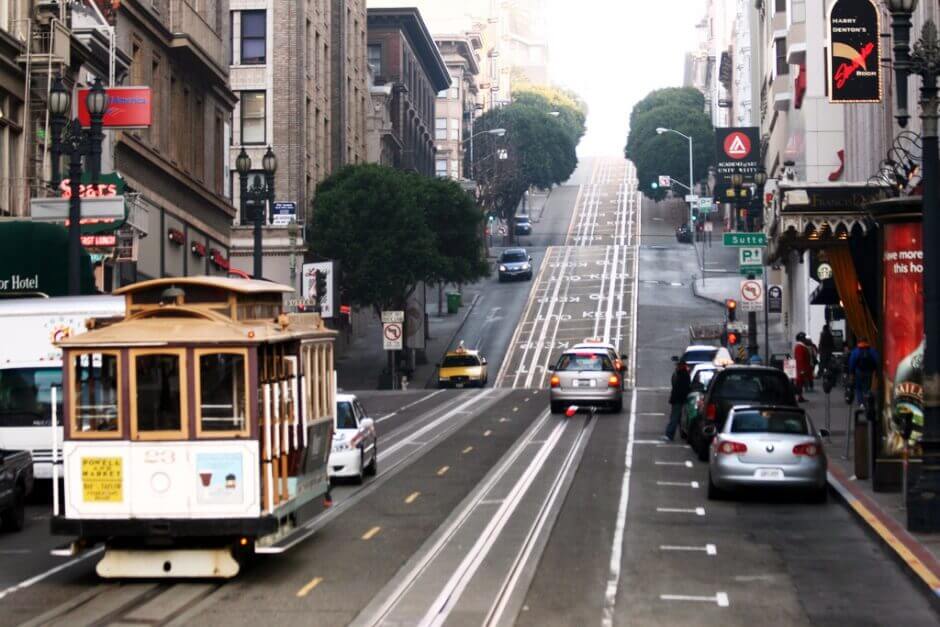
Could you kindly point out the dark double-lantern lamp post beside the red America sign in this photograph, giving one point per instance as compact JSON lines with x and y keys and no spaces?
{"x":71,"y":139}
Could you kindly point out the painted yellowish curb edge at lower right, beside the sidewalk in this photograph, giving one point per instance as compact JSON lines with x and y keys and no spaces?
{"x":920,"y":563}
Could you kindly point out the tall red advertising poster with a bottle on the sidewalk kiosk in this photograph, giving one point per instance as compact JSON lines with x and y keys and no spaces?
{"x":903,"y":343}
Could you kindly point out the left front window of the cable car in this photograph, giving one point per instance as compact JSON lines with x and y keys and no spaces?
{"x":95,"y":388}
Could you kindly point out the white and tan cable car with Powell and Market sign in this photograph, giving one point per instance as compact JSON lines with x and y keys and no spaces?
{"x":196,"y":429}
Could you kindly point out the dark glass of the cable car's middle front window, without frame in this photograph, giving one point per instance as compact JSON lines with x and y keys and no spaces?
{"x":159,"y":394}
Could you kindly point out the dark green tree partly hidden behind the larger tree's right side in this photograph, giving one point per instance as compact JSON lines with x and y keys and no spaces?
{"x":456,"y":221}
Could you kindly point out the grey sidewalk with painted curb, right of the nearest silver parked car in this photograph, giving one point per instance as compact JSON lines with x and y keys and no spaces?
{"x":881,"y":512}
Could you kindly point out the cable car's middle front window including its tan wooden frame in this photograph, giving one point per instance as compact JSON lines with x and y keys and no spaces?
{"x":160,"y":395}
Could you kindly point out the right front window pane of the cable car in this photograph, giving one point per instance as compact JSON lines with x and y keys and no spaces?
{"x":222,"y":403}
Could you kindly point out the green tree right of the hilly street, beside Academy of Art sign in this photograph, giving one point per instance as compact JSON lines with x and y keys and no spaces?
{"x":680,"y":109}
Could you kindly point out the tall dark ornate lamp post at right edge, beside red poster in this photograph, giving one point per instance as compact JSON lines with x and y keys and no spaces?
{"x":923,"y":496}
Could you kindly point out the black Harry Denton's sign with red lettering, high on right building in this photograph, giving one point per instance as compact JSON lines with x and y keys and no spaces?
{"x":854,"y":52}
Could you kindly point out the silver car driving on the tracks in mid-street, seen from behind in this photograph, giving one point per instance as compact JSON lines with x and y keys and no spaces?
{"x":585,"y":377}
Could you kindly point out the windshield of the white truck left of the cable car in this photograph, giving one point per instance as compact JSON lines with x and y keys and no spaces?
{"x":26,"y":396}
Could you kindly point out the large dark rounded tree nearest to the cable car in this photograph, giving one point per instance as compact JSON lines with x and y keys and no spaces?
{"x":369,"y":218}
